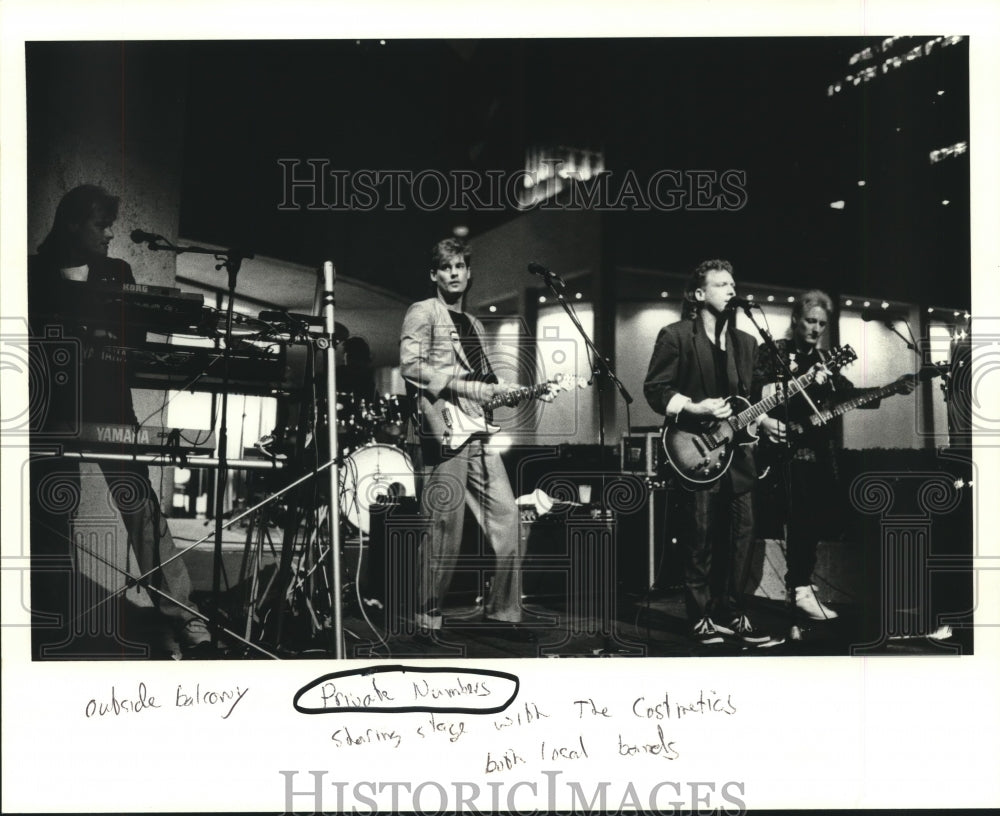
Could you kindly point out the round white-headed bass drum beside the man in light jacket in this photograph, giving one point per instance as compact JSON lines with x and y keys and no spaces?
{"x":373,"y":475}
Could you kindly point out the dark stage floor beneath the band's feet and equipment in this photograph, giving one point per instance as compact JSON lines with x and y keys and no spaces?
{"x":606,"y":625}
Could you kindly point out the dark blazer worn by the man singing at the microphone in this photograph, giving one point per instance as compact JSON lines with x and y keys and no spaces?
{"x":683,"y":363}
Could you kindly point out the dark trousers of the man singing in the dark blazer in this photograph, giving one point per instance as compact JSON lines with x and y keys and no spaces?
{"x":714,"y":549}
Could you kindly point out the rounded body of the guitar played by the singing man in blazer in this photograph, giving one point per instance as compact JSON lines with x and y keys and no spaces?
{"x":700,"y":451}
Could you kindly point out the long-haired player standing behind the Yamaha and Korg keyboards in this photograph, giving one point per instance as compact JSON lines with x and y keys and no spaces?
{"x":76,"y":249}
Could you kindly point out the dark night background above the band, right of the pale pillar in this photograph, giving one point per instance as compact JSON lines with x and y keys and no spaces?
{"x":758,"y":105}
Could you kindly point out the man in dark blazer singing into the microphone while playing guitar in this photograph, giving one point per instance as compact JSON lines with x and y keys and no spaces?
{"x":696,"y":364}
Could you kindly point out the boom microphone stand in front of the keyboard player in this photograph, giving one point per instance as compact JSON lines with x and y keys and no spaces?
{"x":231,"y":259}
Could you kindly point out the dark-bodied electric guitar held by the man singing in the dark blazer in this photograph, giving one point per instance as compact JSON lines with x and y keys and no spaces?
{"x":700,"y":451}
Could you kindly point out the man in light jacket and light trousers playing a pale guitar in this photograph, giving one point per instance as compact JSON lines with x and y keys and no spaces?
{"x":443,"y":361}
